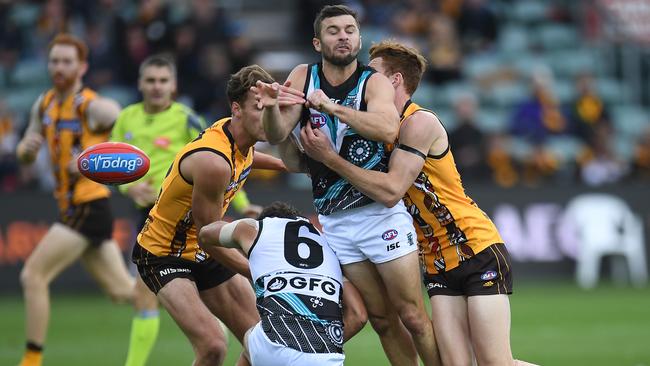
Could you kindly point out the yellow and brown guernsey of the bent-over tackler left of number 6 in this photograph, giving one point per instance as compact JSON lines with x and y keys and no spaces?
{"x":169,"y":229}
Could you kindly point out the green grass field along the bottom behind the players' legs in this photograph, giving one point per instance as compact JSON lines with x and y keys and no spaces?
{"x":553,"y":324}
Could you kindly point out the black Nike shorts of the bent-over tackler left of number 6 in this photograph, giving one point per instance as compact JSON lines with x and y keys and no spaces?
{"x":156,"y":272}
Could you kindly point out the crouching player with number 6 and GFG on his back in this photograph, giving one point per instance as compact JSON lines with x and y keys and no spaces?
{"x":298,"y":284}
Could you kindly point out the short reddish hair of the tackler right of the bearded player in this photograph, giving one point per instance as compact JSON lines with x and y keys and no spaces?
{"x":406,"y":60}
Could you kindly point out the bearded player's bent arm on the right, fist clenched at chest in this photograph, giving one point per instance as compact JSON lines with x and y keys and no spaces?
{"x":380,"y":122}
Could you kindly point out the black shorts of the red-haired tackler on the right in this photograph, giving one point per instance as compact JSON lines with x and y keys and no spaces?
{"x":487,"y":273}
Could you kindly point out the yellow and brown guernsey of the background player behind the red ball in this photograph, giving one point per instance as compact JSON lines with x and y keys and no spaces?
{"x":66,"y":130}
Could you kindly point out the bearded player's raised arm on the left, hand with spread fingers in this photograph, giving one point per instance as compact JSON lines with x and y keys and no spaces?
{"x":282,"y":104}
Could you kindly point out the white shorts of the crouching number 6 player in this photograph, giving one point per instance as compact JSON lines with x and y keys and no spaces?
{"x":263,"y":352}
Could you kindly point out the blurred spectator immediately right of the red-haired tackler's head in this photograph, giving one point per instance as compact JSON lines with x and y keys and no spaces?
{"x":444,"y":53}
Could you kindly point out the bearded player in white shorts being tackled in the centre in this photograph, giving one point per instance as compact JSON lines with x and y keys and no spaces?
{"x":352,"y":105}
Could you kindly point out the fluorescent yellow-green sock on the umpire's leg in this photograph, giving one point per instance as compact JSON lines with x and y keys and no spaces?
{"x":144,"y":331}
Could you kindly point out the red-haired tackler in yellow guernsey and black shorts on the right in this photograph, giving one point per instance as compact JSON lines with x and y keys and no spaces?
{"x":466,"y":264}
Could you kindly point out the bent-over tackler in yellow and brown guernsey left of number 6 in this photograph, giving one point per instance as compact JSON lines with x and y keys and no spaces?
{"x":192,"y":281}
